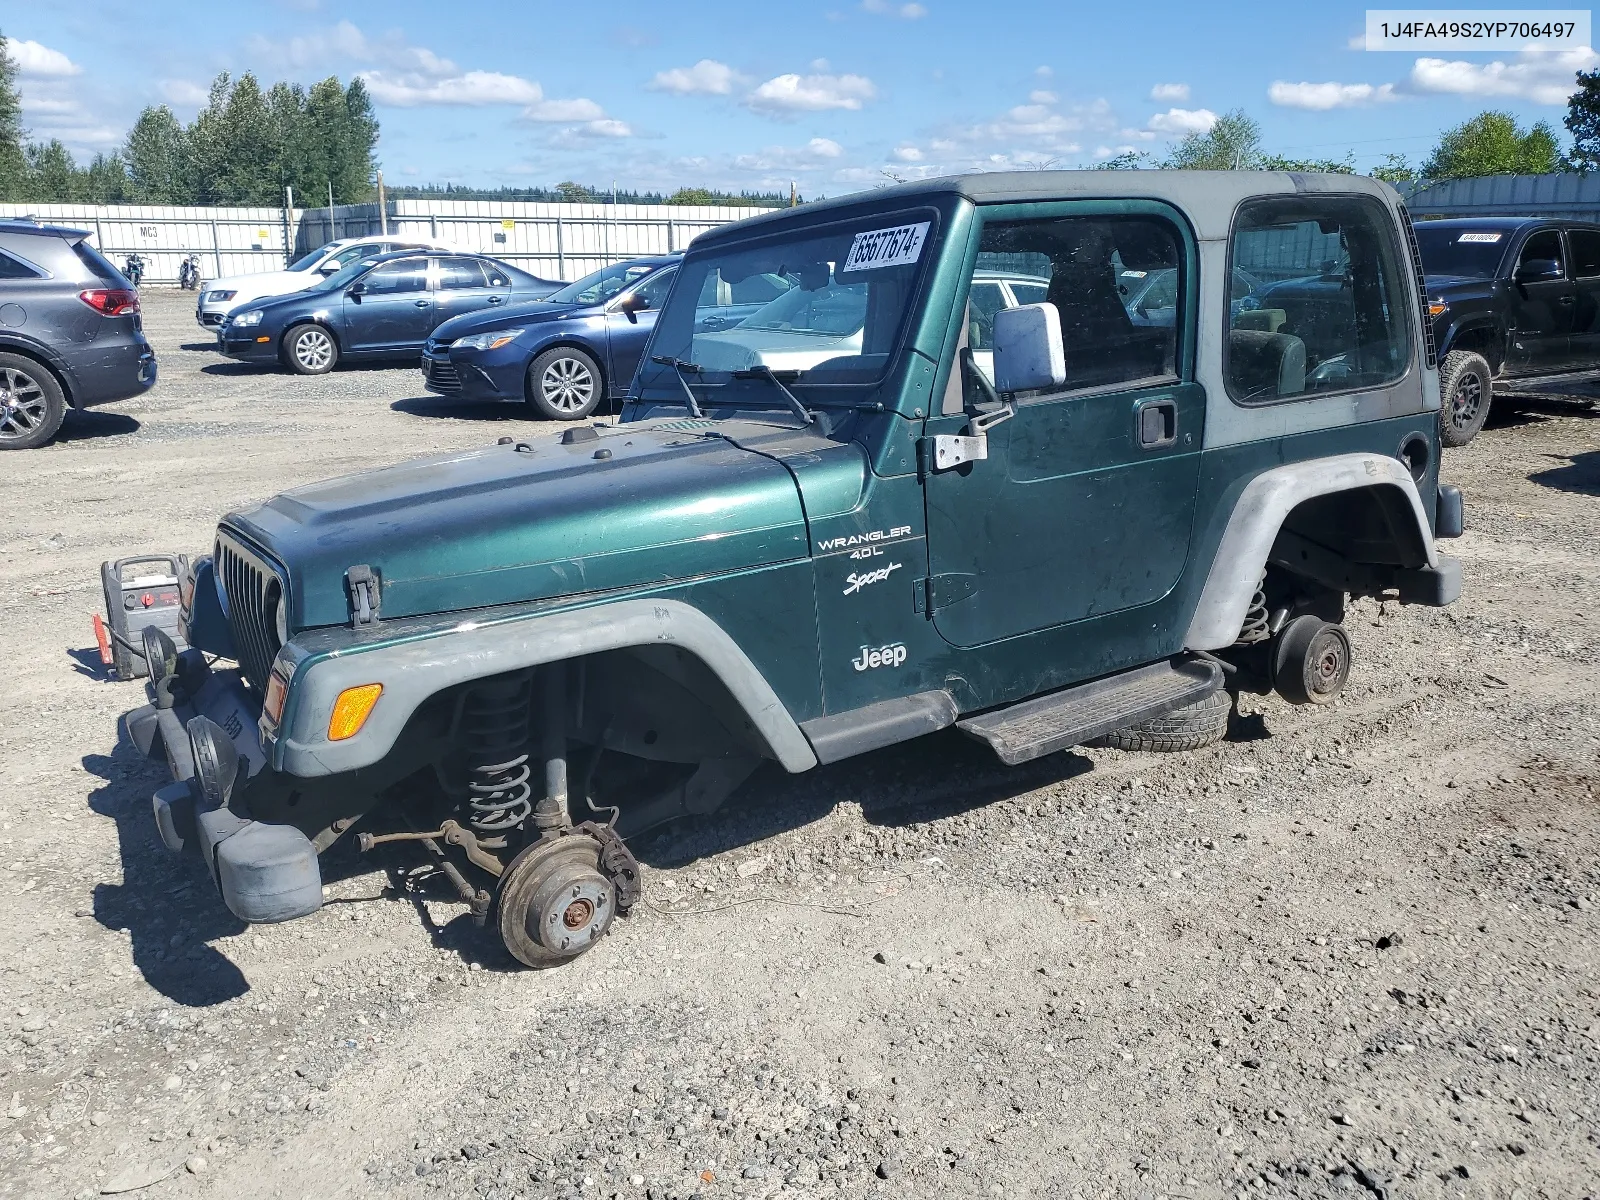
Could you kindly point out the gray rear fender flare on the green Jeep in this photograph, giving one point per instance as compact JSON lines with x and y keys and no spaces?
{"x":1257,"y":519}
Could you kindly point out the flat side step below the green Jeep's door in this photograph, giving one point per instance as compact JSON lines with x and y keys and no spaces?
{"x":1079,"y":714}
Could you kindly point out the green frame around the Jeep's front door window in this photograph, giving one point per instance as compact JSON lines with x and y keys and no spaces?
{"x":1185,"y":322}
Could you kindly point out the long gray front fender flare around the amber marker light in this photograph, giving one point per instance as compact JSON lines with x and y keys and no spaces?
{"x":415,"y":670}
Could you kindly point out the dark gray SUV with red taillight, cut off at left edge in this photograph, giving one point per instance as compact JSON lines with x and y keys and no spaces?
{"x":70,"y":332}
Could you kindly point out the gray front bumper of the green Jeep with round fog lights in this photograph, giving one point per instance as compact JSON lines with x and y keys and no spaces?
{"x":265,"y":871}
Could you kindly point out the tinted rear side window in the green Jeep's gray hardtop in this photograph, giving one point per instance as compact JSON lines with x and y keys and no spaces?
{"x":1329,"y":313}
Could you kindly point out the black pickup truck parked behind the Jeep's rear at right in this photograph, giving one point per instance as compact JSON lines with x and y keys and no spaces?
{"x":1513,"y":298}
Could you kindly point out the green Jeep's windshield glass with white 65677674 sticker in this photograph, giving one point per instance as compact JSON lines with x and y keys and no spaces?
{"x":825,"y":305}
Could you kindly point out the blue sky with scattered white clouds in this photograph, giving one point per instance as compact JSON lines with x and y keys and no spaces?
{"x":838,"y":95}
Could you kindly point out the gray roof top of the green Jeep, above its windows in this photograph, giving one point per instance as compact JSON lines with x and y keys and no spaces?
{"x":1207,"y":198}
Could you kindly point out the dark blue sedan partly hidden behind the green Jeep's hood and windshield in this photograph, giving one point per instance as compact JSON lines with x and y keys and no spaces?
{"x":566,"y":354}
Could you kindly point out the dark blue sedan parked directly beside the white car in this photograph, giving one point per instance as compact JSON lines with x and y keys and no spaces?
{"x":383,"y":308}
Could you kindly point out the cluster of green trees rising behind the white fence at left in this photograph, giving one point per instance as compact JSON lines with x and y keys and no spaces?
{"x":241,"y":150}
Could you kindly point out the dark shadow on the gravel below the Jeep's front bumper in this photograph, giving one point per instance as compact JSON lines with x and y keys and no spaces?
{"x":166,"y":902}
